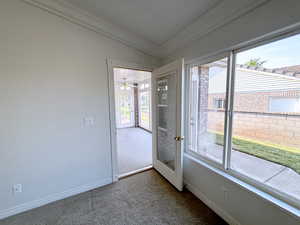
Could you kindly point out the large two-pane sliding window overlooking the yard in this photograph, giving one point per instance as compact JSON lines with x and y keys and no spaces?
{"x":259,"y":129}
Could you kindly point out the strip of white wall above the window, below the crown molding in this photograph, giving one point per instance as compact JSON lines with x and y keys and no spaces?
{"x":272,"y":16}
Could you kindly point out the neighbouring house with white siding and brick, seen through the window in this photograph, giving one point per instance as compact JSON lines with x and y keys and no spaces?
{"x":256,"y":89}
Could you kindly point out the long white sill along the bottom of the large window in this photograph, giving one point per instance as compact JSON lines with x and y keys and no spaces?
{"x":291,"y":210}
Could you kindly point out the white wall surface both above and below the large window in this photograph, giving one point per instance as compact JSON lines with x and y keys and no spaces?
{"x":242,"y":206}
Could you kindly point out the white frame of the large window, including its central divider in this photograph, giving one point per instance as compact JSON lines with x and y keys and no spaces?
{"x":229,"y":103}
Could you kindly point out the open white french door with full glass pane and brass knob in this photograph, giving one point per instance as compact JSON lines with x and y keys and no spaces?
{"x":167,"y":124}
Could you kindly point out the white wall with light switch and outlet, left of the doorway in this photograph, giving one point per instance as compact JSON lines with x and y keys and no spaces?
{"x":52,"y":74}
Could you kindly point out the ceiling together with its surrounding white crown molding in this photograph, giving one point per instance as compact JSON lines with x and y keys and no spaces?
{"x":156,"y":27}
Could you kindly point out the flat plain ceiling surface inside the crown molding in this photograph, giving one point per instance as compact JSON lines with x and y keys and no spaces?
{"x":155,"y":20}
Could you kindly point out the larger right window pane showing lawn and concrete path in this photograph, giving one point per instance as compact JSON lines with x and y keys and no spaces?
{"x":266,"y":121}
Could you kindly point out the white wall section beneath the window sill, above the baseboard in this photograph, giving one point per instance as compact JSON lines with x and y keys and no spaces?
{"x":239,"y":206}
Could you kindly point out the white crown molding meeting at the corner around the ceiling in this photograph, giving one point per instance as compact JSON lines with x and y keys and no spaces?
{"x":205,"y":24}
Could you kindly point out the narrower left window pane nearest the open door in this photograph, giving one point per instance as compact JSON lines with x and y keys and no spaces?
{"x":207,"y":98}
